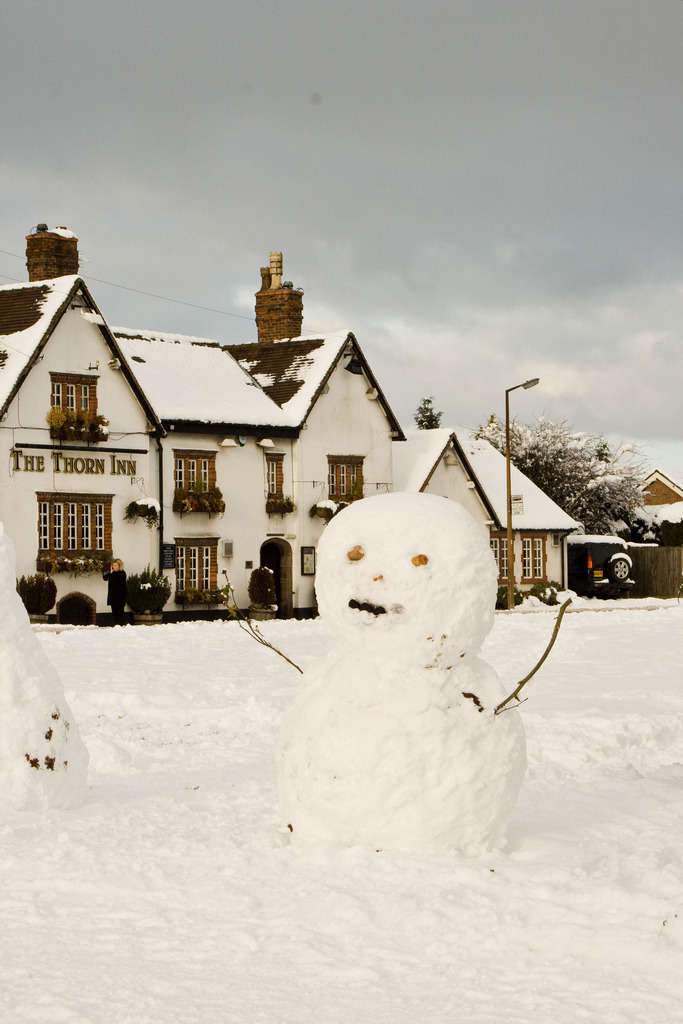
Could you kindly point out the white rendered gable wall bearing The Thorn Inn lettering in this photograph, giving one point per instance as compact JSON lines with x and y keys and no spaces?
{"x":77,"y":347}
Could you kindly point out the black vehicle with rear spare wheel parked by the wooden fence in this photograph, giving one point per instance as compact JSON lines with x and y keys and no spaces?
{"x":600,"y":567}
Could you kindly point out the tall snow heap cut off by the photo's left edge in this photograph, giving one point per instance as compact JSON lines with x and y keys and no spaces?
{"x":44,"y":762}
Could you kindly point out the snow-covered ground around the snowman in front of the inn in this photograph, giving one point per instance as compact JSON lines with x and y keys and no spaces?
{"x":173,"y":895}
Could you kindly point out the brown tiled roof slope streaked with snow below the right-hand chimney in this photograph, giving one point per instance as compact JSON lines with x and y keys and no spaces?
{"x":279,"y":367}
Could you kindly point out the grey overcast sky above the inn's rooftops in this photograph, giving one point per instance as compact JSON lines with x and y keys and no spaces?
{"x":483,"y":191}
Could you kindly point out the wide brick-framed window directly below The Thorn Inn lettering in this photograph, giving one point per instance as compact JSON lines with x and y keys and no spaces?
{"x":69,"y":522}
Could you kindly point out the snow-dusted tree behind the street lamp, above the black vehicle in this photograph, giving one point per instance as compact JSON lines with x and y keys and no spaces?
{"x":596,"y":484}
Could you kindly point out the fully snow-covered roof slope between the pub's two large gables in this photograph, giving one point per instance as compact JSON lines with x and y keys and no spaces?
{"x":196,"y":380}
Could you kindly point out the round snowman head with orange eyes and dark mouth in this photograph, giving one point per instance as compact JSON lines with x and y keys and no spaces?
{"x":409,"y":578}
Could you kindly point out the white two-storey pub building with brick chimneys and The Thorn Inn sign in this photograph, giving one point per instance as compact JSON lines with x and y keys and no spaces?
{"x":202,"y":460}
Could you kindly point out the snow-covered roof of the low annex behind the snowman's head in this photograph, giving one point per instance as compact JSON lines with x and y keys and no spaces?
{"x":417,"y":457}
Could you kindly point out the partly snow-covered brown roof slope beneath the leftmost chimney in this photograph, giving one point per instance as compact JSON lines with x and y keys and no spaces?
{"x":27,"y":314}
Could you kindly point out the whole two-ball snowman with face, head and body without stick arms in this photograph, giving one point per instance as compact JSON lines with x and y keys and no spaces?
{"x":393,"y":741}
